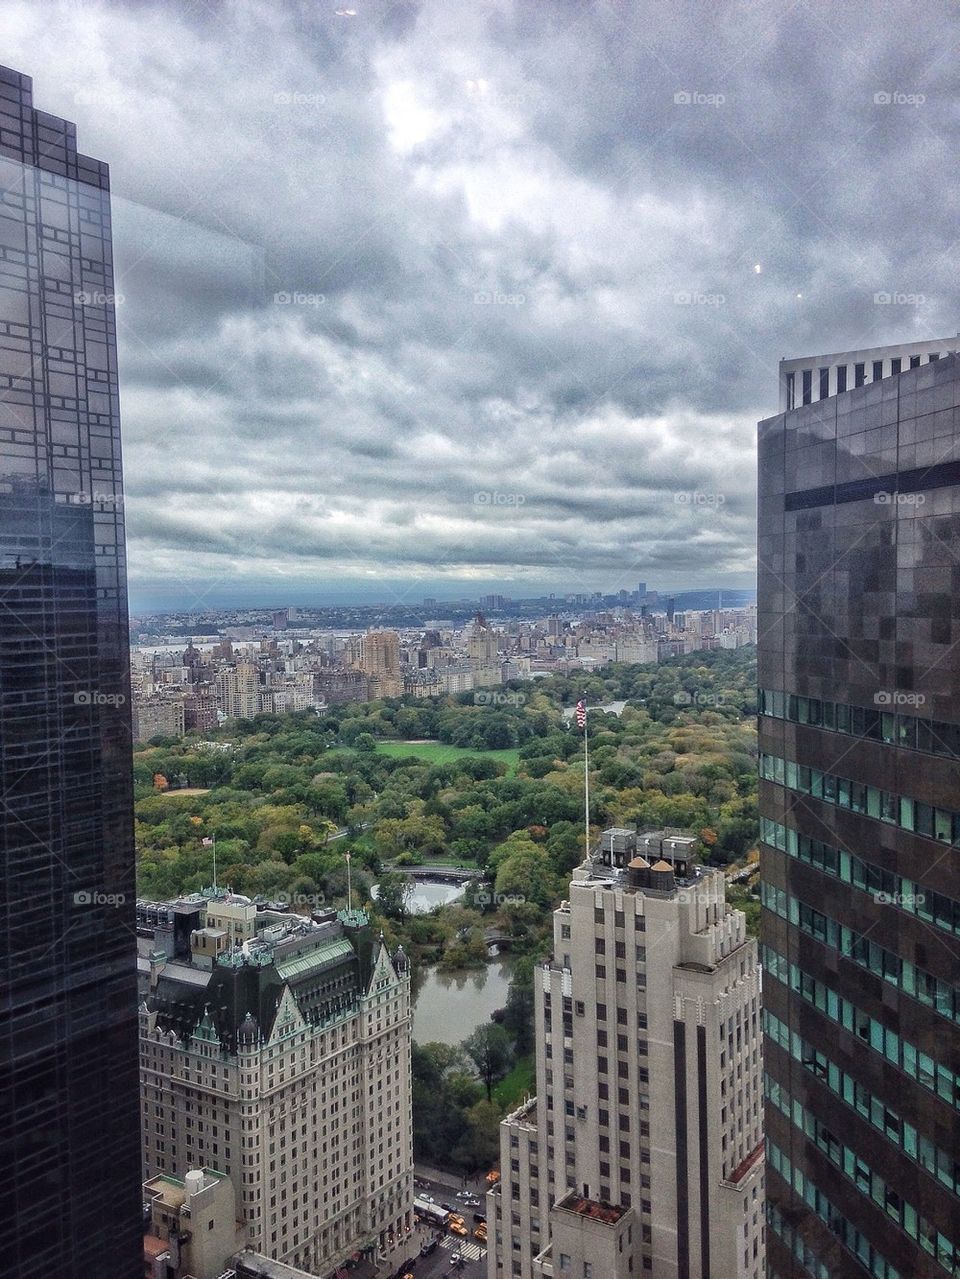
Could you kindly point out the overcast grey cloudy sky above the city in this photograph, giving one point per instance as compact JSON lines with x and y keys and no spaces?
{"x":444,"y":297}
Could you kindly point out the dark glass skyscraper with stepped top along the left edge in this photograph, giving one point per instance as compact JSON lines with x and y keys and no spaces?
{"x":70,"y":1138}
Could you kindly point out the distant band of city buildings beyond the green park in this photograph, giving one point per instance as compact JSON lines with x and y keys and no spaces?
{"x":295,"y":659}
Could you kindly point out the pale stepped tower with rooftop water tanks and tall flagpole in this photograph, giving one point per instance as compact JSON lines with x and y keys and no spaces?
{"x":642,"y":1152}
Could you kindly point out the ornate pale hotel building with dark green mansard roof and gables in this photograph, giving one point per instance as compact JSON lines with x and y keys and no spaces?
{"x":277,"y":1049}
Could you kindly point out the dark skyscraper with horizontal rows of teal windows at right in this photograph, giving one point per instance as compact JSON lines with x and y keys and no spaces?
{"x":860,"y":673}
